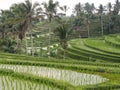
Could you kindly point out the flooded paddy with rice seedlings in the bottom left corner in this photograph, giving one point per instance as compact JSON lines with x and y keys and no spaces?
{"x":9,"y":83}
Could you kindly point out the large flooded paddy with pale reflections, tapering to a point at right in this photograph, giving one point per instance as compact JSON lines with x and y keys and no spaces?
{"x":74,"y":78}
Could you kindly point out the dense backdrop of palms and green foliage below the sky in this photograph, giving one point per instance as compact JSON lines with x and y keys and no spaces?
{"x":22,"y":20}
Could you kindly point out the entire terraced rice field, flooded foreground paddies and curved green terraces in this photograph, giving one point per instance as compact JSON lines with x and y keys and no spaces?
{"x":92,"y":64}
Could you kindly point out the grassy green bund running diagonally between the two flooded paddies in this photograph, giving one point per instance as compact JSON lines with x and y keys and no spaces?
{"x":35,"y":79}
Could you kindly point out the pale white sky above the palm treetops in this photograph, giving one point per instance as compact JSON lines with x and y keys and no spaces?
{"x":5,"y":4}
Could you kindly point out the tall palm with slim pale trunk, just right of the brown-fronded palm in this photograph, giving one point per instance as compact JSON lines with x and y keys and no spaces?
{"x":32,"y":13}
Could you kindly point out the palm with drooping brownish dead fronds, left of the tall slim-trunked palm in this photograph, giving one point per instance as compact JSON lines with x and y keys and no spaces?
{"x":19,"y":23}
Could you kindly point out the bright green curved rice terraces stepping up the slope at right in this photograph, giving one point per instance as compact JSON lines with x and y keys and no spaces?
{"x":95,"y":49}
